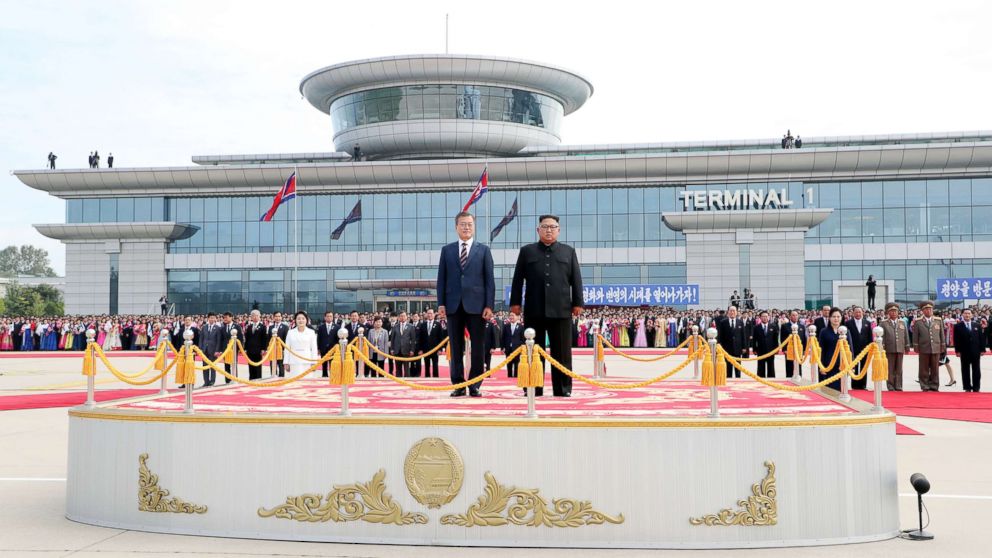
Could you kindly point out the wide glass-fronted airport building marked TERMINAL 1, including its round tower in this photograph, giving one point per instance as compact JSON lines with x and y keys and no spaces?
{"x":798,"y":227}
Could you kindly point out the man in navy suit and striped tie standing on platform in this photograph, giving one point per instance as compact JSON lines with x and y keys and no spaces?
{"x":466,"y":293}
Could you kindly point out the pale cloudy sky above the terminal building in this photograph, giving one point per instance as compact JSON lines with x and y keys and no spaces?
{"x":156,"y":82}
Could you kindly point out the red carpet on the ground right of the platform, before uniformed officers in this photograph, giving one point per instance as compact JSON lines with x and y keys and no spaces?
{"x":968,"y":407}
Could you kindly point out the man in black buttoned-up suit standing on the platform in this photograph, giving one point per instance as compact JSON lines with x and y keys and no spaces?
{"x":549,"y":270}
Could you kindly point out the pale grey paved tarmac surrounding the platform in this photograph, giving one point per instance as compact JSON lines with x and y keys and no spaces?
{"x":955,"y":456}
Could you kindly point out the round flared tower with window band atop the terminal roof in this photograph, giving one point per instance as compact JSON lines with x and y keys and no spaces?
{"x":444,"y":106}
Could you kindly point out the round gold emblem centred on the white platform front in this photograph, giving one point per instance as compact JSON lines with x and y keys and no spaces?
{"x":434,"y":472}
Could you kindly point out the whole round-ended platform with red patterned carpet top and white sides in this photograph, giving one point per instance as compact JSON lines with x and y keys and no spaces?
{"x":651,"y":471}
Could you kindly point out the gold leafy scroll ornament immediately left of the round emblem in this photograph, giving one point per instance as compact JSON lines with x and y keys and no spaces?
{"x":351,"y":502}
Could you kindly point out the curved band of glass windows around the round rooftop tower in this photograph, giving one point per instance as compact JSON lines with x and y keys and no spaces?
{"x":469,"y":102}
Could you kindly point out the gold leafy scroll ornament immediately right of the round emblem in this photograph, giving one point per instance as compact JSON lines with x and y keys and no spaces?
{"x":503,"y":505}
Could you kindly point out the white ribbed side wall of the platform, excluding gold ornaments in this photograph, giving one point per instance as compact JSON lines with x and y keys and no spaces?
{"x":834,"y":479}
